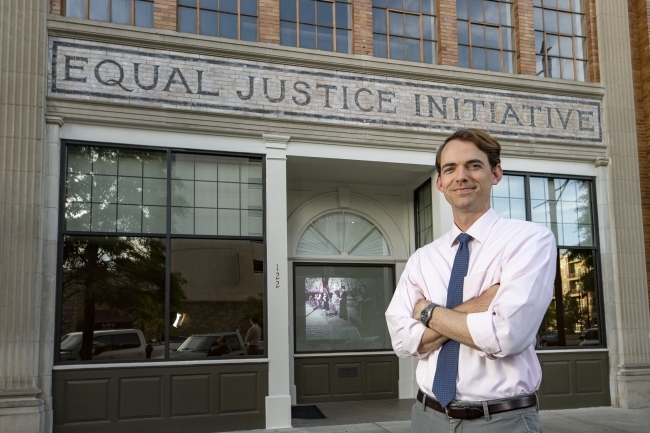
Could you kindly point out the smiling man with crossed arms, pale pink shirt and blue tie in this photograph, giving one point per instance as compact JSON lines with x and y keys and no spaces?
{"x":469,"y":305}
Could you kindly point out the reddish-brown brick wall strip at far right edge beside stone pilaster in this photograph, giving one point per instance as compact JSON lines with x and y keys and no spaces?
{"x":640,"y":45}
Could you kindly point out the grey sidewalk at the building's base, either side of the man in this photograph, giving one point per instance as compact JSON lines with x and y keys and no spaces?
{"x":394,"y":416}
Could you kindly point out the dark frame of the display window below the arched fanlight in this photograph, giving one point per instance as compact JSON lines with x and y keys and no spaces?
{"x":342,"y":265}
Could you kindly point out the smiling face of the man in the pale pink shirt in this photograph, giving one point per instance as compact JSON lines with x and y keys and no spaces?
{"x":466,"y":177}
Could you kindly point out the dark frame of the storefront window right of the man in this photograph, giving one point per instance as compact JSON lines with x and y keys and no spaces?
{"x":595,"y":248}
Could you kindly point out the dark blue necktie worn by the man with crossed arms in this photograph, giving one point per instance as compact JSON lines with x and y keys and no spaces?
{"x":444,"y":382}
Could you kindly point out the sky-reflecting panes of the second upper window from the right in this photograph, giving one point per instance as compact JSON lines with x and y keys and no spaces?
{"x":486,"y":35}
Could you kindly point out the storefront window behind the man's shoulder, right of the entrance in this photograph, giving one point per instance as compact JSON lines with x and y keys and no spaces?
{"x":566,"y":207}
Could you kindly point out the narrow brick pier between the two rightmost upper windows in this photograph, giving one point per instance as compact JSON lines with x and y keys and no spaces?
{"x":525,"y":37}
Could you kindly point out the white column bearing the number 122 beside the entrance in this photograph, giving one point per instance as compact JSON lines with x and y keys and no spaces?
{"x":278,"y":402}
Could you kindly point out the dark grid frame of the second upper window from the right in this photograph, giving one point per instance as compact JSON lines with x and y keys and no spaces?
{"x":501,"y":48}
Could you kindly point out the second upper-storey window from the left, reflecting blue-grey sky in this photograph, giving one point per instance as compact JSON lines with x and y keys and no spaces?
{"x":234,"y":19}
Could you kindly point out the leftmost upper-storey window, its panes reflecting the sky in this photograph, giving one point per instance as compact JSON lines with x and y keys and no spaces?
{"x":130,"y":12}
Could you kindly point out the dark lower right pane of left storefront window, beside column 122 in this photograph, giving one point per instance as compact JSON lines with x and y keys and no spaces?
{"x":222,"y":292}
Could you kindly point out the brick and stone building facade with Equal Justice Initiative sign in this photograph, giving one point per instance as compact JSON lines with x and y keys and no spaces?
{"x":206,"y":204}
